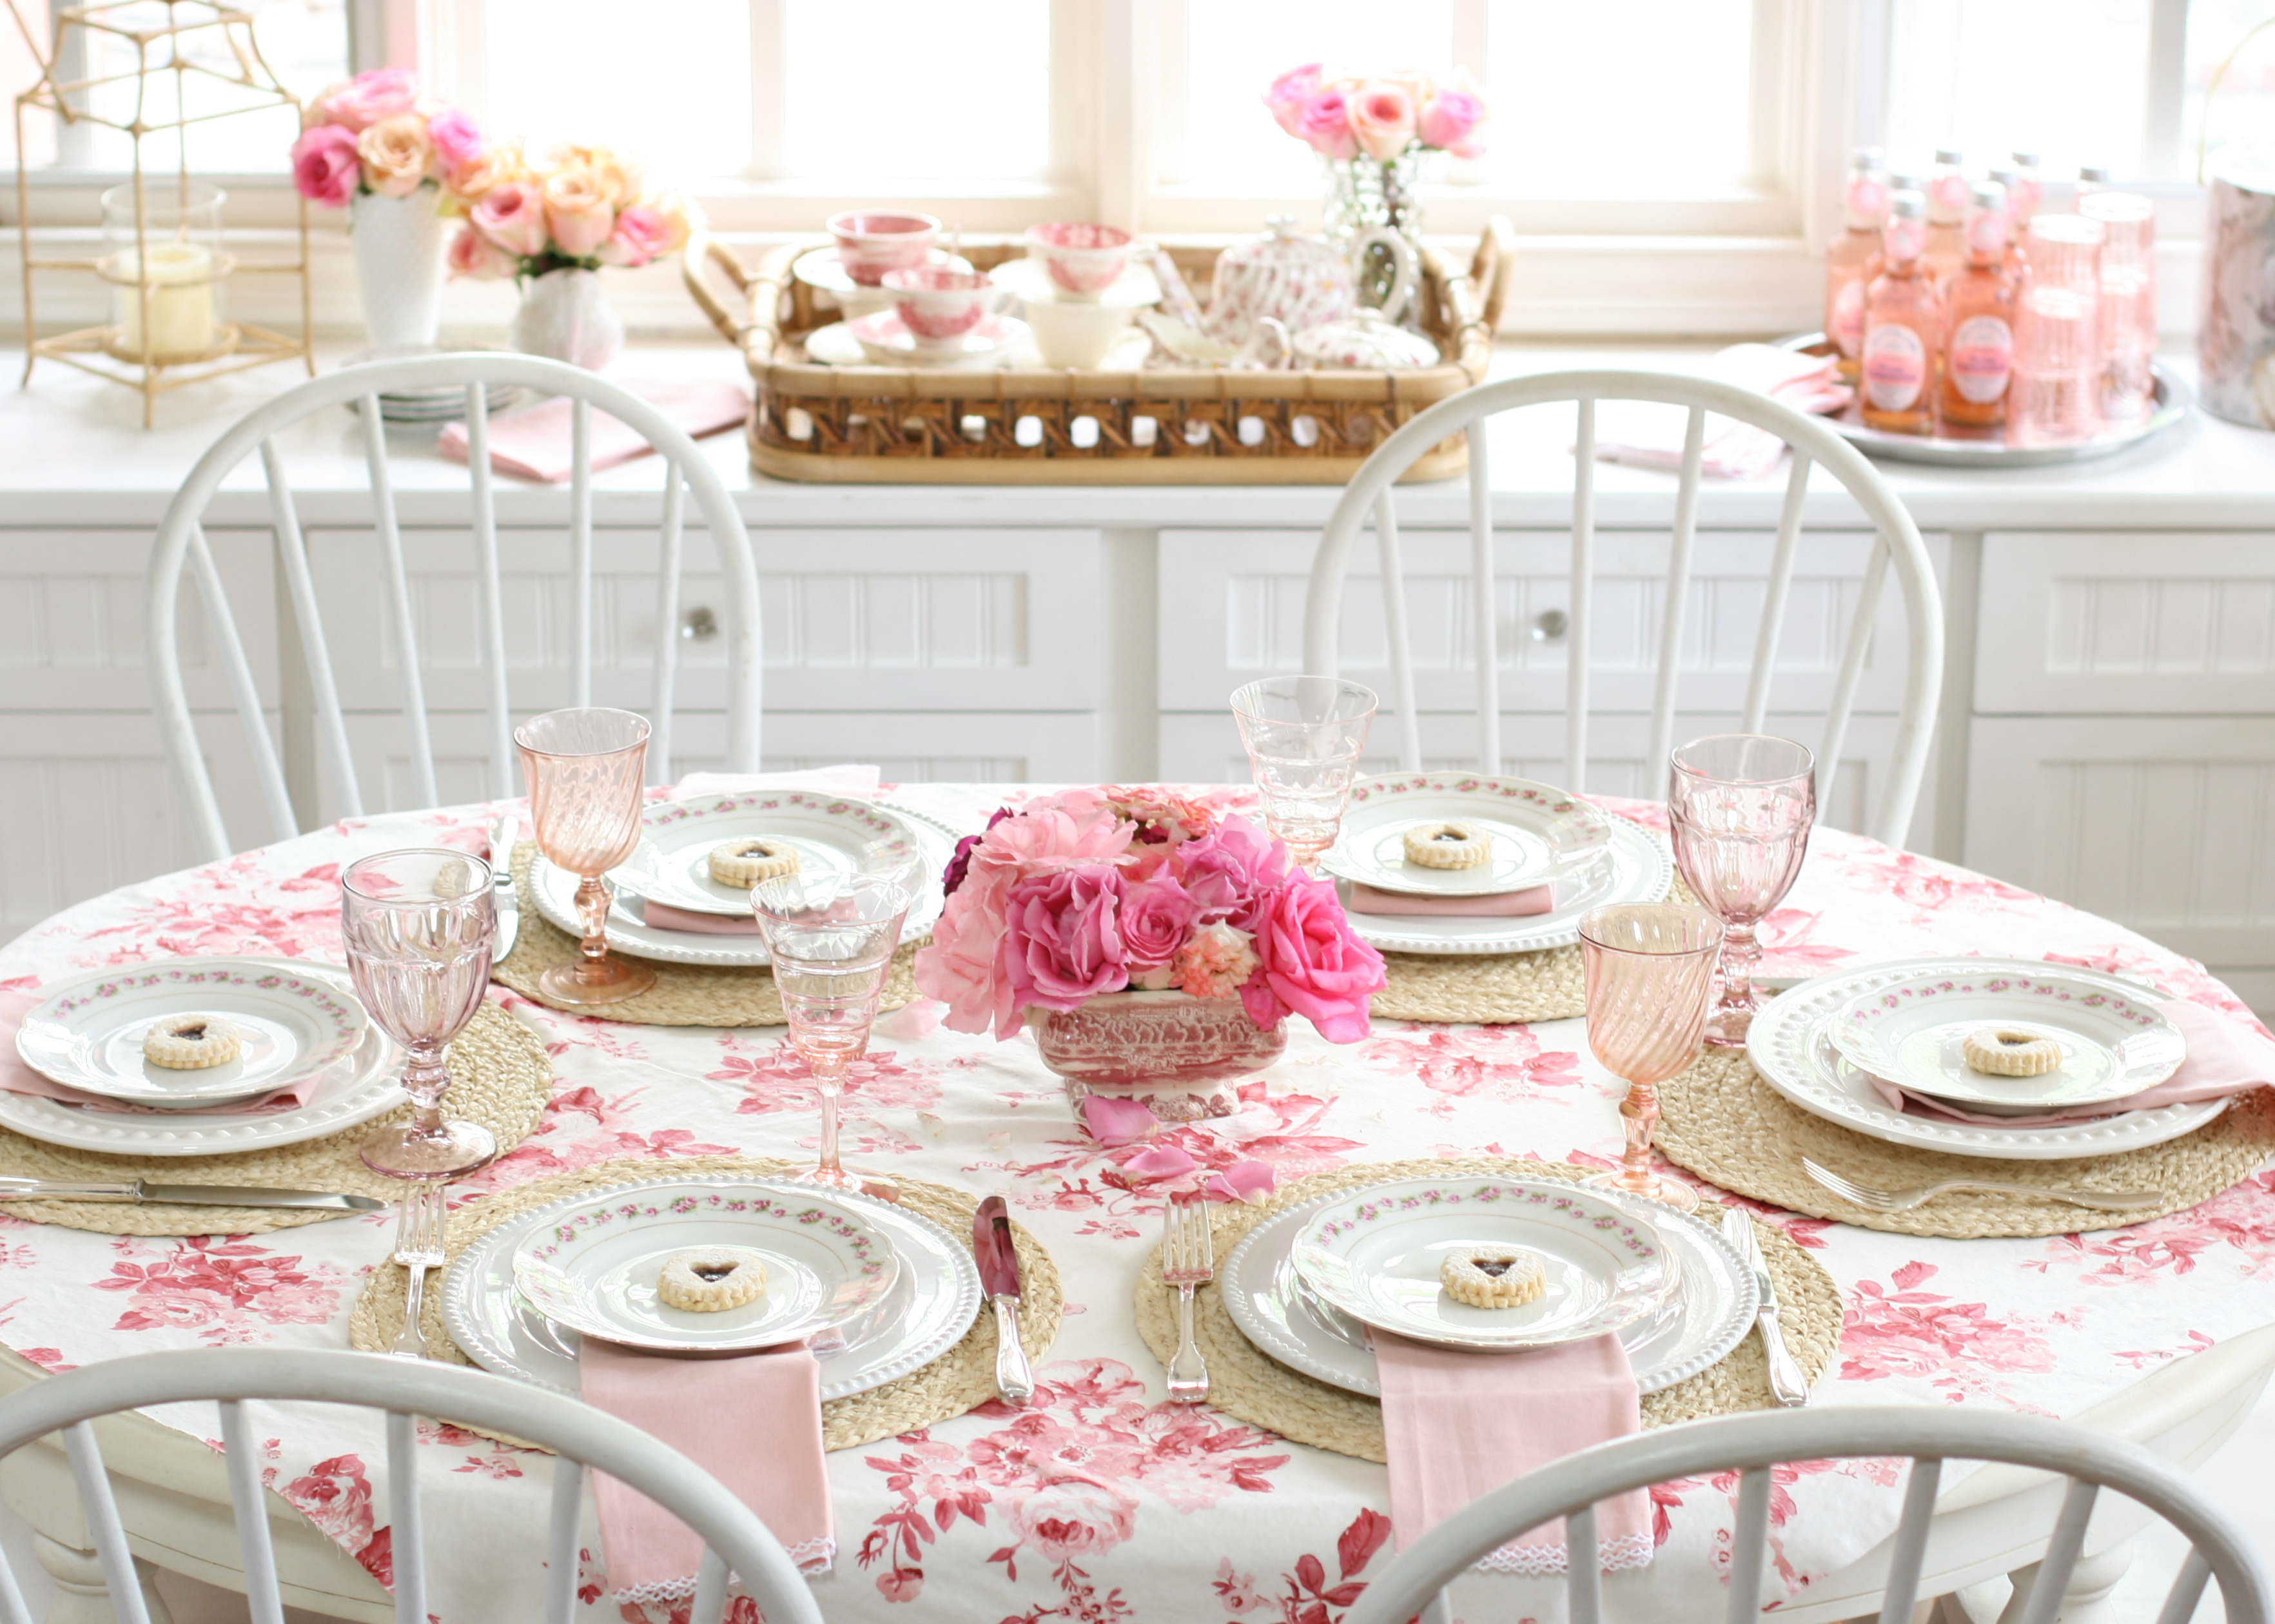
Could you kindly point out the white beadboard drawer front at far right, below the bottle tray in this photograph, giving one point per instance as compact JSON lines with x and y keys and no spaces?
{"x":2128,"y":624}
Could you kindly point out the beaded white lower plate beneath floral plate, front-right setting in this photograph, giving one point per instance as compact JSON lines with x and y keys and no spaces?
{"x":1705,"y":1318}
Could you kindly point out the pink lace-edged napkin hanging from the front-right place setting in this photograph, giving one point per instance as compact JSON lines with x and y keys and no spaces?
{"x":1464,"y":1425}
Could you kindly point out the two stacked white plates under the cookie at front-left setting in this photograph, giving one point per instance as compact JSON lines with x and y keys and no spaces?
{"x":879,"y":1291}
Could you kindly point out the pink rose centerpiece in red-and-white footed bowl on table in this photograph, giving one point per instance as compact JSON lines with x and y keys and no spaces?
{"x":1155,"y":947}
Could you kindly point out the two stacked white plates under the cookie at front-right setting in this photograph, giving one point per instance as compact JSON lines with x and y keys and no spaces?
{"x":1309,"y":1284}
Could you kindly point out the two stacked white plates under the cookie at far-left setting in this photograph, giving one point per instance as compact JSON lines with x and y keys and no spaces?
{"x":299,"y":1027}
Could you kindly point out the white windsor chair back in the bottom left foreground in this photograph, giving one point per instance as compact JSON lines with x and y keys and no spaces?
{"x":584,"y":1439}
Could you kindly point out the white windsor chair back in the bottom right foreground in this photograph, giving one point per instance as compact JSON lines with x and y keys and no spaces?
{"x":1757,"y":1443}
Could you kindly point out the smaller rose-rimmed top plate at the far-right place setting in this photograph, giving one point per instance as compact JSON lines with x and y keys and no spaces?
{"x":1912,"y":1031}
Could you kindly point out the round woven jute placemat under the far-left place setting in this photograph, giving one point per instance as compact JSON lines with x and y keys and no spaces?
{"x":499,"y":1077}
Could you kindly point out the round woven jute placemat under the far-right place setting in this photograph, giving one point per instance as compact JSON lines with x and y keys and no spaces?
{"x":1732,"y":1129}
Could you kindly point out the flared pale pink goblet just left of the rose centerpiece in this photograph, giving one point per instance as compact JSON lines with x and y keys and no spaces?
{"x":832,"y":943}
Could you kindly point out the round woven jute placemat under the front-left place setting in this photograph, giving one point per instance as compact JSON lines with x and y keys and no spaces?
{"x":952,"y":1384}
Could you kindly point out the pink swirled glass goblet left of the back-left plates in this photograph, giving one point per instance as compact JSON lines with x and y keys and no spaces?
{"x":584,"y":770}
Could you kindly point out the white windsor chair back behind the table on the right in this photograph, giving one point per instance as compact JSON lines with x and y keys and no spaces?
{"x":1814,"y":445}
